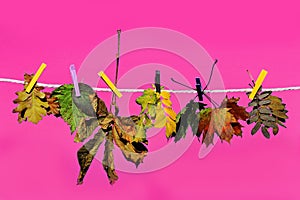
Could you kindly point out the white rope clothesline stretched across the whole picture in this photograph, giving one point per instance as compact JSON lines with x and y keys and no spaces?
{"x":8,"y":80}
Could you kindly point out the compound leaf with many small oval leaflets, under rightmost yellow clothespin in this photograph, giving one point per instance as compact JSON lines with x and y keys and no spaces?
{"x":268,"y":111}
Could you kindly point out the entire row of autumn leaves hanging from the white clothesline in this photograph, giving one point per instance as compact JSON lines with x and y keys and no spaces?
{"x":93,"y":124}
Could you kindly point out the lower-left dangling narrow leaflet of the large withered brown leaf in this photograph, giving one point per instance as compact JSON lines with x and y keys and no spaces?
{"x":87,"y":153}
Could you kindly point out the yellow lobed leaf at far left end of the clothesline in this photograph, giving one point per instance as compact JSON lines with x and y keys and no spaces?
{"x":31,"y":106}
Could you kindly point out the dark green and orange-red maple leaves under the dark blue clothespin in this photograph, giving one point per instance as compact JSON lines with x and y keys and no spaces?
{"x":207,"y":122}
